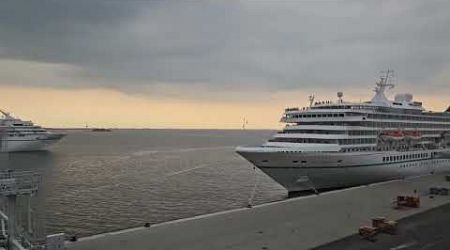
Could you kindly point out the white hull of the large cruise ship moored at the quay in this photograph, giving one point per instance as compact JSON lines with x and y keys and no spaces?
{"x":298,"y":171}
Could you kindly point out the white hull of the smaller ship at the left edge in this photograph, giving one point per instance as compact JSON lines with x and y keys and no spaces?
{"x":30,"y":143}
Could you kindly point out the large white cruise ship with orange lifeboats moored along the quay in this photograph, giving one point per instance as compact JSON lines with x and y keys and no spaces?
{"x":340,"y":144}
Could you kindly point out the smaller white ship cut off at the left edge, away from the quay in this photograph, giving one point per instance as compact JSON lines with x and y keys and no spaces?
{"x":17,"y":135}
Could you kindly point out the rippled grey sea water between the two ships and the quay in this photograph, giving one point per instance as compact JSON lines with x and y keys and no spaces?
{"x":94,"y":182}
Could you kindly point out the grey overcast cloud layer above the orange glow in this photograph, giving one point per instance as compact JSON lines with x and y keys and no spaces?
{"x":224,"y":50}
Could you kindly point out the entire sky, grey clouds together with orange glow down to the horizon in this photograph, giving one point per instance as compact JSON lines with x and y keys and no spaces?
{"x":210,"y":64}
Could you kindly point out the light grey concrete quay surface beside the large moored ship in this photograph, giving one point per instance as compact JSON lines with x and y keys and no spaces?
{"x":297,"y":223}
